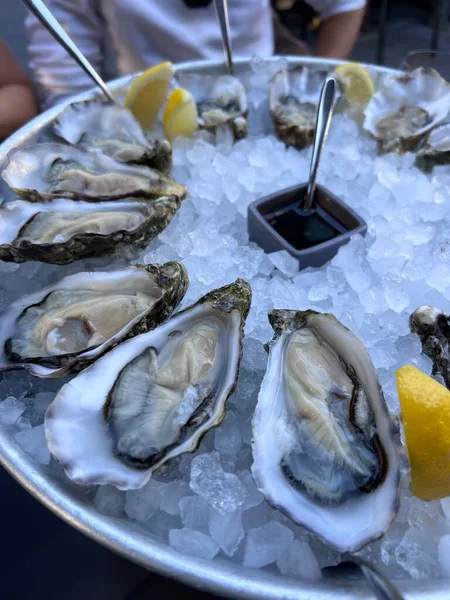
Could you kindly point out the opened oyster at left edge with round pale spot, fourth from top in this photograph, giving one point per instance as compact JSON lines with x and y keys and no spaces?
{"x":67,"y":326}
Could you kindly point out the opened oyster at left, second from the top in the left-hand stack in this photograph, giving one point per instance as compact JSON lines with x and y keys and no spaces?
{"x":47,"y":171}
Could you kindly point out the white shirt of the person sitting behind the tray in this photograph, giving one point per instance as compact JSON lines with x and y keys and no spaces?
{"x":121,"y":37}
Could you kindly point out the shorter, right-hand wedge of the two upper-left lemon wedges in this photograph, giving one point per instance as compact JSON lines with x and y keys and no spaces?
{"x":180,"y":116}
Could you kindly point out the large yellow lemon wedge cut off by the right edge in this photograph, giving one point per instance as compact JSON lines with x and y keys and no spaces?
{"x":425,"y":405}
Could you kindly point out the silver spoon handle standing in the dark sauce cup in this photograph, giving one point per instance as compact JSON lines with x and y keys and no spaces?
{"x":323,"y":120}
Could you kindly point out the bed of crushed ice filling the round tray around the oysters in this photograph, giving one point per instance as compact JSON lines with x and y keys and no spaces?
{"x":206,"y":504}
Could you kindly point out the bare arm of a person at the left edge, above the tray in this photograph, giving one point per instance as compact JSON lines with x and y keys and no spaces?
{"x":17,"y":100}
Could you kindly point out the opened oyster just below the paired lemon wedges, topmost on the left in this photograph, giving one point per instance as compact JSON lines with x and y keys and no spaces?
{"x":113,"y":130}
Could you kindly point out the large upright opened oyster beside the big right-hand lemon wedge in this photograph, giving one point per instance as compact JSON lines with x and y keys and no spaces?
{"x":324,"y":446}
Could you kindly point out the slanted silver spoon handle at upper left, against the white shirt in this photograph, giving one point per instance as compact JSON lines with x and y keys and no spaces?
{"x":38,"y":8}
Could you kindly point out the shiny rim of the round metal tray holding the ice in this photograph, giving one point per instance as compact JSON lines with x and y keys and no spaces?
{"x":219,"y":575}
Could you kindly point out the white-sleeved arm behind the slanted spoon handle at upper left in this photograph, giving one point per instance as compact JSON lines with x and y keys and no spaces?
{"x":57,"y":75}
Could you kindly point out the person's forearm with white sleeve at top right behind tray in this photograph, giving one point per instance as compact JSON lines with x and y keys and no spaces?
{"x":339,"y":28}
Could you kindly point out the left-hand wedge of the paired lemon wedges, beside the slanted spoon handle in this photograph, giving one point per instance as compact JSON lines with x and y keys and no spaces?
{"x":148,"y":93}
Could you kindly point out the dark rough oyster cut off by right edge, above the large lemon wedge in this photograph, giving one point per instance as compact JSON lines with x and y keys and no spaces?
{"x":432,"y":326}
